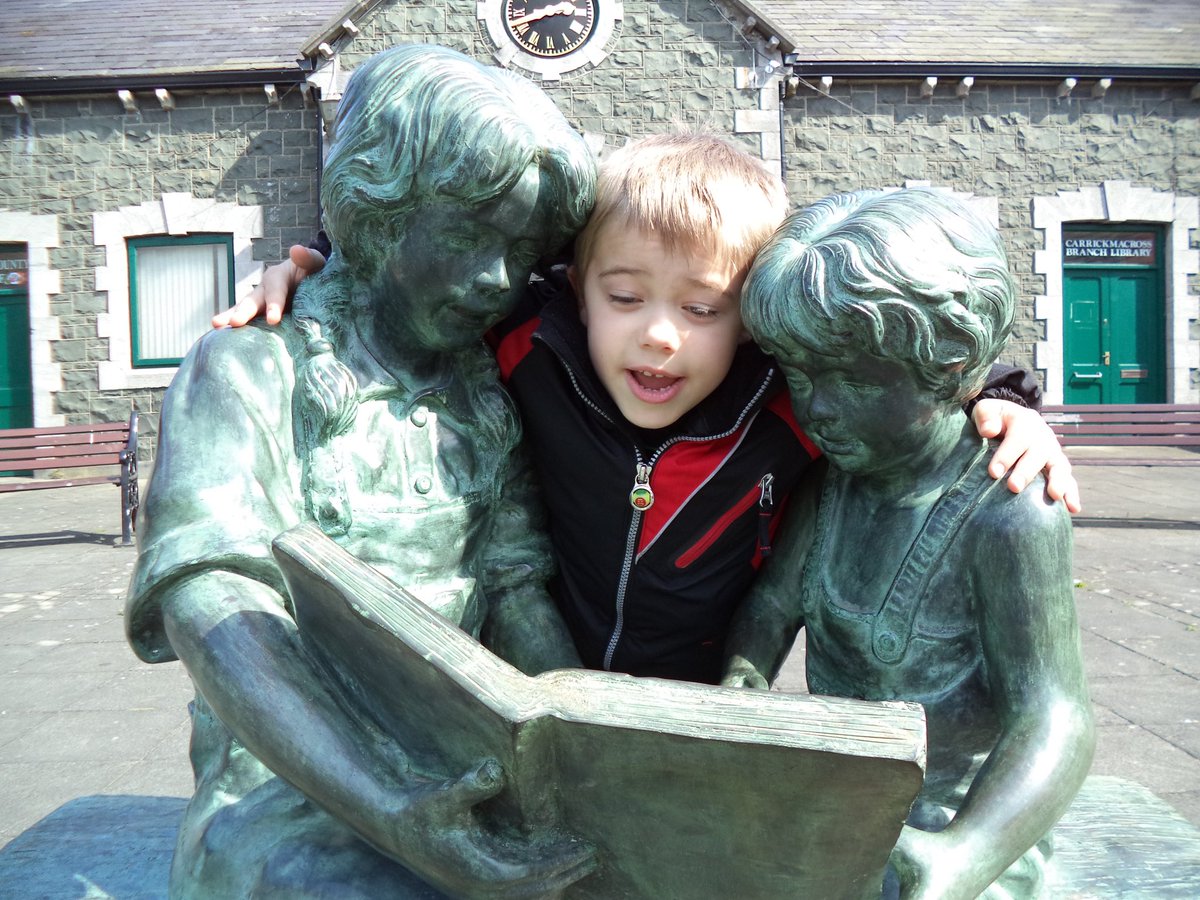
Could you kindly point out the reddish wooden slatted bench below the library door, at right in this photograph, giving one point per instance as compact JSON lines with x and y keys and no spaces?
{"x":1138,"y":425}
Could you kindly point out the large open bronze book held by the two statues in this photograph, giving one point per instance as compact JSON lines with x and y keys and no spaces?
{"x":686,"y":791}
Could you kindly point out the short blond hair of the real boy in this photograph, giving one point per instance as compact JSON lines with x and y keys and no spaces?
{"x":694,"y":191}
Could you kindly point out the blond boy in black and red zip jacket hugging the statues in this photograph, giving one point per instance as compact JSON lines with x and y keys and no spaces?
{"x":664,"y":437}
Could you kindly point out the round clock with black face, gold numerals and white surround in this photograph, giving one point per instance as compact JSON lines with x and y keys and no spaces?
{"x":550,"y":38}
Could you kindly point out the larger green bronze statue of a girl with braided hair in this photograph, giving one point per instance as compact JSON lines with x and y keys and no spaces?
{"x":376,"y":413}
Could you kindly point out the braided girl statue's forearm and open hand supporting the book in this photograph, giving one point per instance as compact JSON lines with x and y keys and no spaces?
{"x":244,"y":655}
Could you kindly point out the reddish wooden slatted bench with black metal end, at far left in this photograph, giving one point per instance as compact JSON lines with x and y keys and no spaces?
{"x":74,"y":447}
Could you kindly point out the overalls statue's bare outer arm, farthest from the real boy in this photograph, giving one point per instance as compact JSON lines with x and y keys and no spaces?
{"x":1021,"y":562}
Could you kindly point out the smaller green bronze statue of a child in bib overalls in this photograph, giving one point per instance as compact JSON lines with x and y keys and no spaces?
{"x":920,"y":580}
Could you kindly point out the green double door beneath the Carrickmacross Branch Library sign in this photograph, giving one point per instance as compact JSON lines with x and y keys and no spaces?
{"x":1114,"y":346}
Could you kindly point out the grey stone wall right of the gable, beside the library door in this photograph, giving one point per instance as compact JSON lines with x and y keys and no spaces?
{"x":1010,"y":141}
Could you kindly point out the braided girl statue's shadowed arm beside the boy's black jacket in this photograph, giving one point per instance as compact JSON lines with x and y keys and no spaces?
{"x":524,"y":625}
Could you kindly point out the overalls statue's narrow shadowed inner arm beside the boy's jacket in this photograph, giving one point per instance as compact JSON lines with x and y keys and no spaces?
{"x":771,"y":616}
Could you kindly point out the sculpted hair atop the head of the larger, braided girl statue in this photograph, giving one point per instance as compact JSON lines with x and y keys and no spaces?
{"x":421,"y":122}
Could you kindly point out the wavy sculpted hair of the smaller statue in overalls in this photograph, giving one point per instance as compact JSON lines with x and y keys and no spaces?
{"x":913,"y":277}
